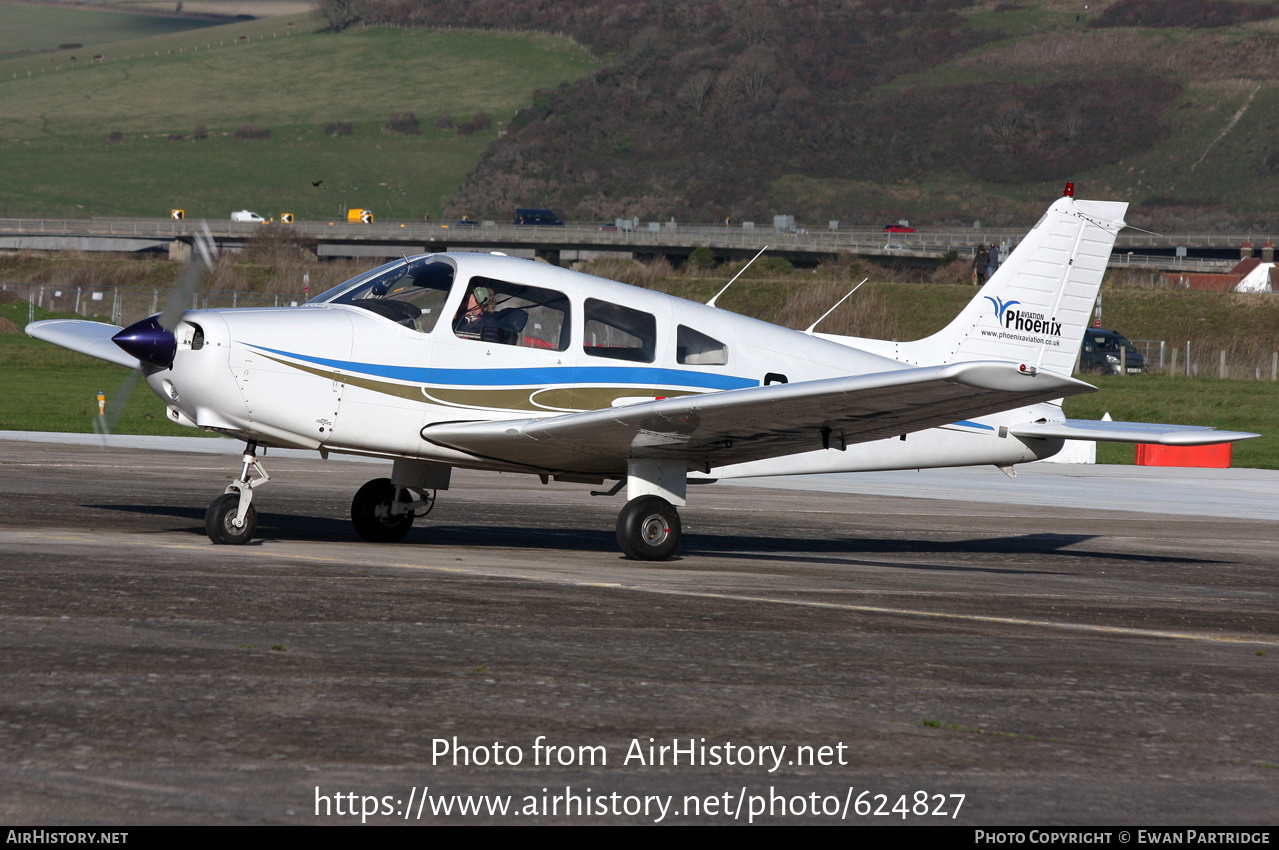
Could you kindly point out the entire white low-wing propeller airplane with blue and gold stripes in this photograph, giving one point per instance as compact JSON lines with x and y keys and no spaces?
{"x":492,"y":362}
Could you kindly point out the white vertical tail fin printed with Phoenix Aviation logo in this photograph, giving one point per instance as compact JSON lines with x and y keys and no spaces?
{"x":1037,"y":307}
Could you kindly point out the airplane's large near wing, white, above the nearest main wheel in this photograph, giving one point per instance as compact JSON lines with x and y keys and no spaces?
{"x":736,"y":426}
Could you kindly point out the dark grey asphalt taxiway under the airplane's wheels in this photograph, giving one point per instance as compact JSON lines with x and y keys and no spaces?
{"x":942,"y":633}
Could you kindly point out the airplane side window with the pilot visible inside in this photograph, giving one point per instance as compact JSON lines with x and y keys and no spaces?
{"x":497,"y":311}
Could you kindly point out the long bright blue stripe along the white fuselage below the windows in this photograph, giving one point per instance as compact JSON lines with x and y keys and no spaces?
{"x":542,"y":376}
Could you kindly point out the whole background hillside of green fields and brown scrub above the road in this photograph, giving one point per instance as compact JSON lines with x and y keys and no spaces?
{"x":946,"y":112}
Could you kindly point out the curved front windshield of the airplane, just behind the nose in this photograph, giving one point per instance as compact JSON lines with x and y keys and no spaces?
{"x":411,"y":293}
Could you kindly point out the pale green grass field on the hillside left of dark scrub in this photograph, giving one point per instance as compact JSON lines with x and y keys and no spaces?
{"x":54,"y":126}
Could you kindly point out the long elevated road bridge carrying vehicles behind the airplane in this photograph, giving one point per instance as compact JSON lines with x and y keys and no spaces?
{"x":557,"y":245}
